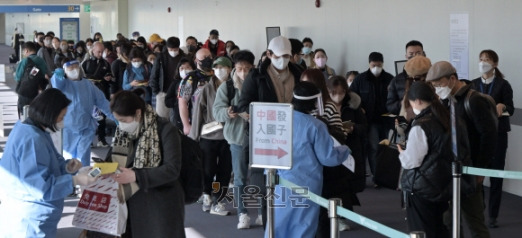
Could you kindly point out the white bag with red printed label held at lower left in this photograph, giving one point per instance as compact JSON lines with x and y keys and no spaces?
{"x":99,"y":209}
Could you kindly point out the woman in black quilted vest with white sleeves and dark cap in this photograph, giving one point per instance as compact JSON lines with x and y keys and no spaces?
{"x":428,"y":154}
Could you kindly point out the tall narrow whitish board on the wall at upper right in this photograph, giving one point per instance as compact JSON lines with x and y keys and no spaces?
{"x":459,"y":43}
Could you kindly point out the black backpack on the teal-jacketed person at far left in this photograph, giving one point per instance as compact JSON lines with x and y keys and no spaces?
{"x":32,"y":80}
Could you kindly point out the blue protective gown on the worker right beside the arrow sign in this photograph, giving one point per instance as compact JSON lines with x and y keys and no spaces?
{"x":312,"y":149}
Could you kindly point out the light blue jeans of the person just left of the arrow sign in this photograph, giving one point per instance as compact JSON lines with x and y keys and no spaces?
{"x":240,"y":169}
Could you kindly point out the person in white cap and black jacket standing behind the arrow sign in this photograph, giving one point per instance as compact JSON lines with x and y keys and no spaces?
{"x":272,"y":81}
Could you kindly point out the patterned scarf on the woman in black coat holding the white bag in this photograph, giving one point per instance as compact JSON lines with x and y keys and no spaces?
{"x":148,"y":153}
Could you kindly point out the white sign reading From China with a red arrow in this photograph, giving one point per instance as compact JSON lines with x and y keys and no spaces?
{"x":271,"y":135}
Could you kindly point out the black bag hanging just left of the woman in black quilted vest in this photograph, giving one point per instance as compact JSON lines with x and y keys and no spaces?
{"x":387,"y":164}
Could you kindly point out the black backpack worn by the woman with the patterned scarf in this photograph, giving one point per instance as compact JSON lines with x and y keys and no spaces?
{"x":191,"y":174}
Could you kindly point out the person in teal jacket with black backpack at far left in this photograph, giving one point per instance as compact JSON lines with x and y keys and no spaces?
{"x":22,"y":70}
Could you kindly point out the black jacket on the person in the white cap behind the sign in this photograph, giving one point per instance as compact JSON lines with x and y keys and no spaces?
{"x":258,"y":86}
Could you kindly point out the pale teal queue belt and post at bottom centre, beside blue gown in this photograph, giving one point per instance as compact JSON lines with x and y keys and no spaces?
{"x":343,"y":212}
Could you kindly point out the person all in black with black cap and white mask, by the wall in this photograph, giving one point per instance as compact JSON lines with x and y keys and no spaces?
{"x":372,"y":87}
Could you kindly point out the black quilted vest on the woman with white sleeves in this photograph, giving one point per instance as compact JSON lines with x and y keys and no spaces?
{"x":432,"y":180}
